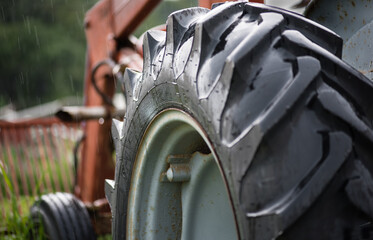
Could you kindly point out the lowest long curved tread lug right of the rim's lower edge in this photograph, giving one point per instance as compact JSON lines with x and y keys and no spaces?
{"x":286,"y":211}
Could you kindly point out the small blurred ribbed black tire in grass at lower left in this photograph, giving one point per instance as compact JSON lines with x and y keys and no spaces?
{"x":63,"y":216}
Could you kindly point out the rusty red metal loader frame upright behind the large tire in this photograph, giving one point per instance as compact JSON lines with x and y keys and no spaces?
{"x":107,"y":25}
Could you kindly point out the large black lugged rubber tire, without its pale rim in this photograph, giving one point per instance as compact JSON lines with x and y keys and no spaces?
{"x":290,"y":122}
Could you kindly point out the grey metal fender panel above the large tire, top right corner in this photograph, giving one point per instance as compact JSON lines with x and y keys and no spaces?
{"x":352,"y":20}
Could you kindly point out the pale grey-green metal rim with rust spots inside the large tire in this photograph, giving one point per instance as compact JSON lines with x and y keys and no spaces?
{"x":177,"y":189}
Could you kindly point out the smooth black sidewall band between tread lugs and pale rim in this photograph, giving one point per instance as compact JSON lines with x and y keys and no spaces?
{"x":158,"y":98}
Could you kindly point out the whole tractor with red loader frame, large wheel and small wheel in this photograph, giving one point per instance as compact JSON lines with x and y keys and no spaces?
{"x":243,"y":121}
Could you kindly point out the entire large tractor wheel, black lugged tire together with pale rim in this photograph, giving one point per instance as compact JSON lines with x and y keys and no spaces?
{"x":244,"y":124}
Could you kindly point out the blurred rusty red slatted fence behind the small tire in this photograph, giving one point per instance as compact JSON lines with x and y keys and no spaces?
{"x":32,"y":151}
